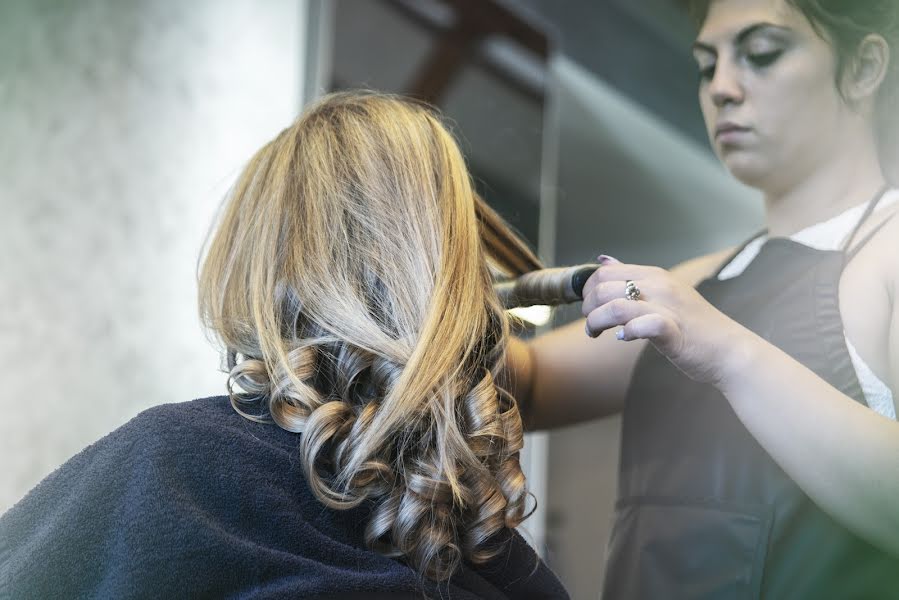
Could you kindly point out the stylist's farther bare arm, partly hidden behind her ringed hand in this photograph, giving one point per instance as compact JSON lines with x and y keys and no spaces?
{"x":565,"y":377}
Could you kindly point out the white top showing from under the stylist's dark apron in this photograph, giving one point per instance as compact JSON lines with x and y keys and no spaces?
{"x":832,"y":235}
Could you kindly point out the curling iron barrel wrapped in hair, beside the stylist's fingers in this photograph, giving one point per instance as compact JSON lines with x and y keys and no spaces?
{"x":551,"y":287}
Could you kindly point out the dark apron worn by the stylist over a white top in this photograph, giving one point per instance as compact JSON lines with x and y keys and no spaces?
{"x":703,"y":511}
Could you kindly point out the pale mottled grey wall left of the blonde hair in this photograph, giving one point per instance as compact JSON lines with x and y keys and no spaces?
{"x":122,"y":124}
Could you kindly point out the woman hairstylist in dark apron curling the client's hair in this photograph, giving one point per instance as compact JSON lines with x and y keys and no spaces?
{"x":760,"y":448}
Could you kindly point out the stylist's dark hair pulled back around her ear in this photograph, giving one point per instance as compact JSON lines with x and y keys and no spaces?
{"x":844,"y":24}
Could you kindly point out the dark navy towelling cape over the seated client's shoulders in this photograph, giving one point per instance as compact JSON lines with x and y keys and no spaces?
{"x":193,"y":500}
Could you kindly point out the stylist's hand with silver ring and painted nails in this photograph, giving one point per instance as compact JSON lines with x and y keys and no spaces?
{"x":699,"y":339}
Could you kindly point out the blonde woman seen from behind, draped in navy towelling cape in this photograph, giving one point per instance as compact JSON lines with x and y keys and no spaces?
{"x":366,"y":447}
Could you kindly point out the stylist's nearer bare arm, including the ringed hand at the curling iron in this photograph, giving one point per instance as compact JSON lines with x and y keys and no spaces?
{"x":842,"y":454}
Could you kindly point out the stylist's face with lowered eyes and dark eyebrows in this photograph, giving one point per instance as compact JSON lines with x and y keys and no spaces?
{"x":766,"y":90}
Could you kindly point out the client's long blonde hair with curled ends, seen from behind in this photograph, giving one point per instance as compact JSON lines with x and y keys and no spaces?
{"x":348,"y":280}
